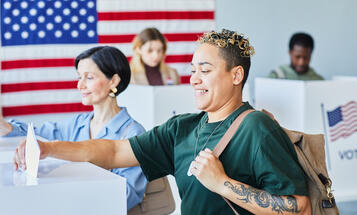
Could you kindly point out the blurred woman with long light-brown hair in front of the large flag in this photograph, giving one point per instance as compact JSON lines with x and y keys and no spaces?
{"x":147,"y":64}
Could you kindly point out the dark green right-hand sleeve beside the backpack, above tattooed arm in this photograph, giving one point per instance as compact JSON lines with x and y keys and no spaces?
{"x":276,"y":166}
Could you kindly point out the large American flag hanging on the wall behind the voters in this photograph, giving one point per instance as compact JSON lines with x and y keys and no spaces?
{"x":41,"y":38}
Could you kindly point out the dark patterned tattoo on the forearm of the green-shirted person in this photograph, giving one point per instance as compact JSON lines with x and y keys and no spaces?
{"x":264,"y":199}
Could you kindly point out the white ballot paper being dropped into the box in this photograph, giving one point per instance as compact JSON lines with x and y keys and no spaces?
{"x":32,"y":152}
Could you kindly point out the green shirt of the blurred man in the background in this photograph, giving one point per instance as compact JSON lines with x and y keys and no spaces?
{"x":286,"y":72}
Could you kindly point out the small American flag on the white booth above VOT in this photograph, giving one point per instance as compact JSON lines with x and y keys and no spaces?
{"x":342,"y":121}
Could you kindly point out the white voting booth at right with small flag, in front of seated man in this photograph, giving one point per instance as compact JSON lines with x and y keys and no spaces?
{"x":326,"y":107}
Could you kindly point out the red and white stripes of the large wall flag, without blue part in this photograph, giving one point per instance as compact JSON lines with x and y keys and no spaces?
{"x":38,"y":79}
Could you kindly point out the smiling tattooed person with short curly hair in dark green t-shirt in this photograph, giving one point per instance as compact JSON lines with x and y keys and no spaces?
{"x":258,"y":171}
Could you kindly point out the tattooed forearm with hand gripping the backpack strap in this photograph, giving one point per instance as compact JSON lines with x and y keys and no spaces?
{"x":210,"y":172}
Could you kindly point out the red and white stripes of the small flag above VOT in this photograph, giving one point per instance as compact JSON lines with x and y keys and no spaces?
{"x":349,"y":123}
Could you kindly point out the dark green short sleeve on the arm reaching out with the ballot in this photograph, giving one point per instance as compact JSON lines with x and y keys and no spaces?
{"x":155,"y":150}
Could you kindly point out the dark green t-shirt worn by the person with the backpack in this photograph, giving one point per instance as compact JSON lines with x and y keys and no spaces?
{"x":260,"y":154}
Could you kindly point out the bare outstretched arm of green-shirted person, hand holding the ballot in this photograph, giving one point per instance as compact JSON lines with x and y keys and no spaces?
{"x":104,"y":153}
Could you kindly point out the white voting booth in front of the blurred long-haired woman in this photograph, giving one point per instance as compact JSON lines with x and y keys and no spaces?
{"x":154,"y":105}
